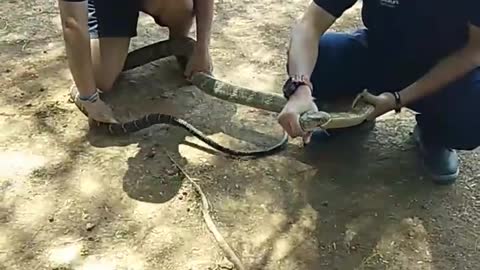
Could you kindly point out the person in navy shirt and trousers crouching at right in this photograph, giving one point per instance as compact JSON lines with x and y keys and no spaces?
{"x":420,"y":54}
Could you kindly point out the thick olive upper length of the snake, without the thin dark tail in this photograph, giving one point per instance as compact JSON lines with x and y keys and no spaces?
{"x":210,"y":85}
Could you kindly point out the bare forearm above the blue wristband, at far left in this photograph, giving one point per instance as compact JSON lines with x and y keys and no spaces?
{"x":75,"y":33}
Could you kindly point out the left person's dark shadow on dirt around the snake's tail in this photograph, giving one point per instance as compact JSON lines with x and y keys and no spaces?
{"x":159,"y":87}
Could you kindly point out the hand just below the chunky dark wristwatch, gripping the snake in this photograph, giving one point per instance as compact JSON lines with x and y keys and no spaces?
{"x":298,"y":103}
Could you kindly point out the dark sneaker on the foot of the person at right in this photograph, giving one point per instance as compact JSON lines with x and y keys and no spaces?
{"x":441,"y":163}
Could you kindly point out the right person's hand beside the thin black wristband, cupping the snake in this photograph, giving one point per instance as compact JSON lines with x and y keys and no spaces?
{"x":383,"y":103}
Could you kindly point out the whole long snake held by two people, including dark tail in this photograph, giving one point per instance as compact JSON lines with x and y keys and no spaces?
{"x":182,"y":49}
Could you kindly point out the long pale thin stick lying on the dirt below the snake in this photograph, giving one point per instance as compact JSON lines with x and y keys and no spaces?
{"x":208,"y":219}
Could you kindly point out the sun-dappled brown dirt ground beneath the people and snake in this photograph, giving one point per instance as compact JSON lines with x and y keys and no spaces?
{"x":73,"y":199}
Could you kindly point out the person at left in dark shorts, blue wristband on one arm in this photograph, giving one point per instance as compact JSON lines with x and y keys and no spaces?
{"x":97,"y":36}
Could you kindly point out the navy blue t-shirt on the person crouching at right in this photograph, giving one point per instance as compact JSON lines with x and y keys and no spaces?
{"x":422,"y":31}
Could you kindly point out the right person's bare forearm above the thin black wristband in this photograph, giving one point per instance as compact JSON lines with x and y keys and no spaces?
{"x":449,"y":69}
